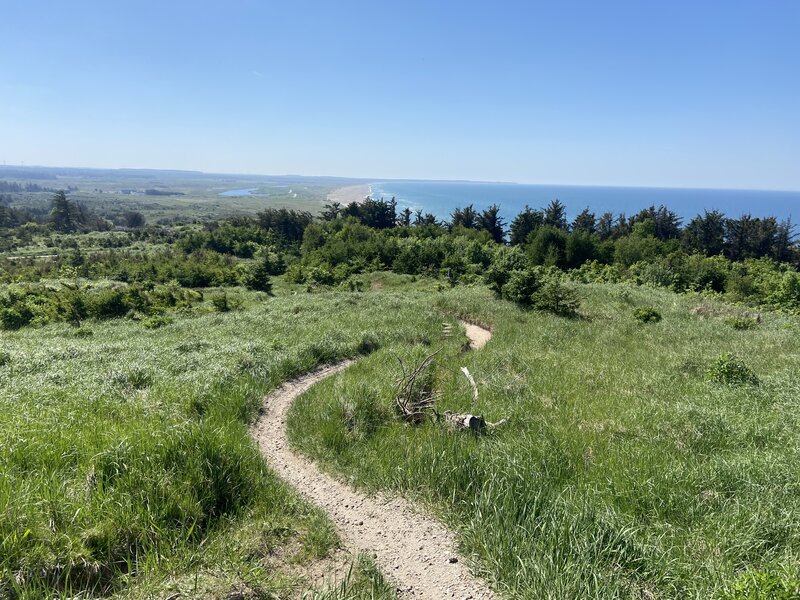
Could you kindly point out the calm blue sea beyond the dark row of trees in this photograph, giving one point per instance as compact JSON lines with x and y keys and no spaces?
{"x":440,"y":198}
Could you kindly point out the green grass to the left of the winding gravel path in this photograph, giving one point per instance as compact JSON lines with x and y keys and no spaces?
{"x":126,"y":465}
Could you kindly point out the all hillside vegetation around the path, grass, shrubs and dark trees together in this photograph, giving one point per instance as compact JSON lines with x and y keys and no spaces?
{"x":652,"y":437}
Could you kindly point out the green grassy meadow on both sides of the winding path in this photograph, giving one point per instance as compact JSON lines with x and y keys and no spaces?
{"x":126,"y":468}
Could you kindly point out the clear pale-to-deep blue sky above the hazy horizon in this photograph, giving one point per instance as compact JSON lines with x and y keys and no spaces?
{"x":688,"y":93}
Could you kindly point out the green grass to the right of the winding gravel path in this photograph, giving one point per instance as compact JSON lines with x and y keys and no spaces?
{"x":624,"y":472}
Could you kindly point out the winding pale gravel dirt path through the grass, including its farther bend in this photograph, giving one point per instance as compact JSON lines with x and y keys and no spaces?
{"x":413,"y":550}
